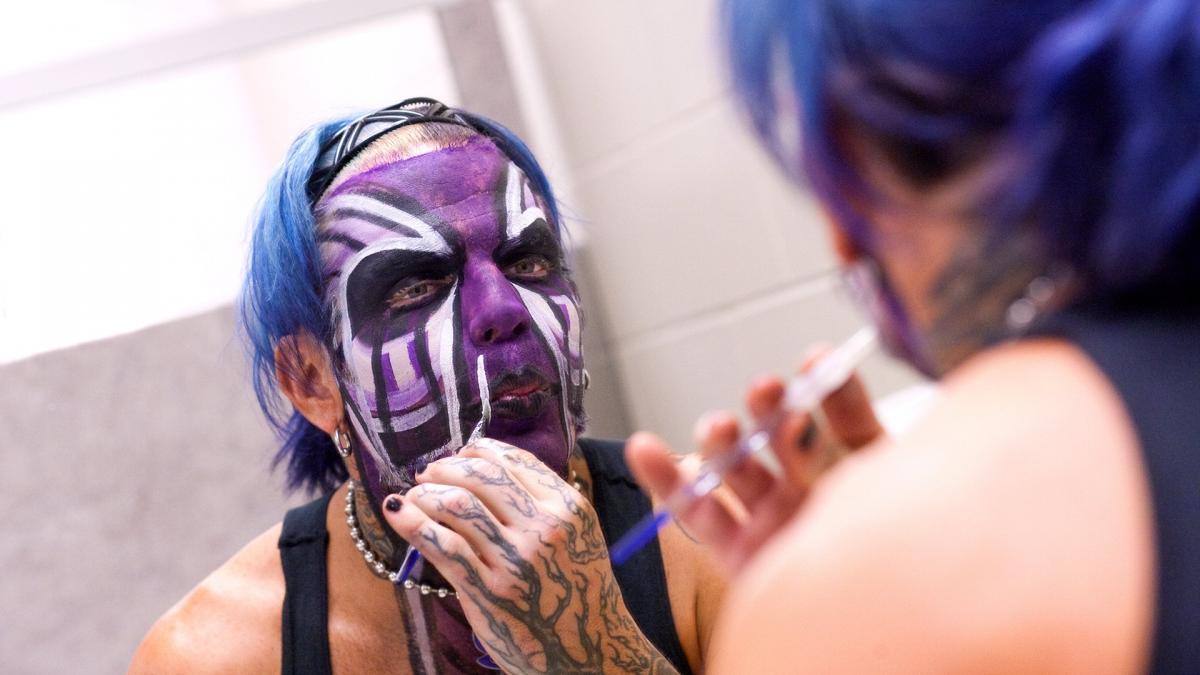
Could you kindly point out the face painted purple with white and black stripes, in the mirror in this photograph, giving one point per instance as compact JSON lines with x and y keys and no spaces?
{"x":431,"y":262}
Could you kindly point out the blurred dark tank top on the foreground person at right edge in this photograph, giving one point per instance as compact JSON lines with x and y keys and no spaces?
{"x":1154,"y":362}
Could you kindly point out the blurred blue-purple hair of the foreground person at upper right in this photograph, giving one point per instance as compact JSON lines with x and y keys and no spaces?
{"x":1095,"y":103}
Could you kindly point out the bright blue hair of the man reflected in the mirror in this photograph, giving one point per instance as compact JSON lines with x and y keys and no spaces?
{"x":283,"y":295}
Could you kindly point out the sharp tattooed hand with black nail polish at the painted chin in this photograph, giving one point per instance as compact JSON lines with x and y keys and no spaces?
{"x":525,"y":552}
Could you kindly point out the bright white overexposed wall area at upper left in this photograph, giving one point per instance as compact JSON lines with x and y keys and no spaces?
{"x":130,"y":202}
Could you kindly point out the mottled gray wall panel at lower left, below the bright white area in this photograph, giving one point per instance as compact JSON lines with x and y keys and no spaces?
{"x":133,"y":468}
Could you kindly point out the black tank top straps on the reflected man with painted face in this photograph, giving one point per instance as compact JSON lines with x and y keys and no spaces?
{"x":620,"y":504}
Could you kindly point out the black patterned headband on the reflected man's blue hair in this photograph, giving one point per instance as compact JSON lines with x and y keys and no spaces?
{"x":355,"y":138}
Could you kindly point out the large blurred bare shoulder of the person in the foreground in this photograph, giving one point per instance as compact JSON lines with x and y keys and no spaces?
{"x":1011,"y":531}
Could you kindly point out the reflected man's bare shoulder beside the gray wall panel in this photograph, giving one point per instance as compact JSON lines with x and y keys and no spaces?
{"x":229,"y":624}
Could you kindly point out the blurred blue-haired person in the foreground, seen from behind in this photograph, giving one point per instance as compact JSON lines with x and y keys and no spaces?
{"x":1017,"y":188}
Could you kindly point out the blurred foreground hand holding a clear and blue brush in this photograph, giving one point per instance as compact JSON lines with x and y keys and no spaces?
{"x":754,"y":504}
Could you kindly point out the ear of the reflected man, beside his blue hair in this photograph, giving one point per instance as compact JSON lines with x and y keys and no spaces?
{"x":307,"y":379}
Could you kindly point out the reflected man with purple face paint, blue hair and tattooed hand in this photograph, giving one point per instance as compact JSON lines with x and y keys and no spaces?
{"x":407,"y":294}
